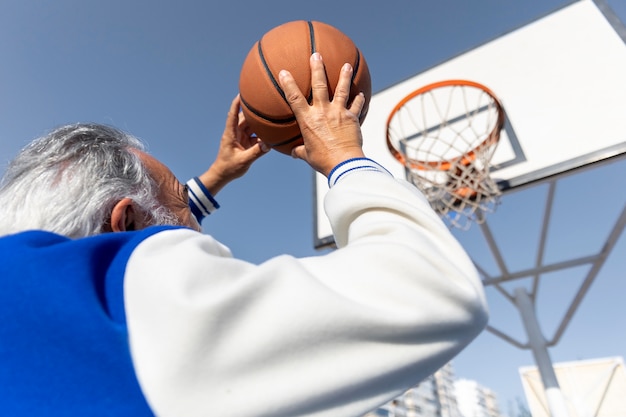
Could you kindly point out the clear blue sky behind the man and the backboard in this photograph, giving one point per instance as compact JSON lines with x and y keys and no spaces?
{"x":167,"y":71}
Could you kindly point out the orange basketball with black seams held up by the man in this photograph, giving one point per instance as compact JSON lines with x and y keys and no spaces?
{"x":290,"y":46}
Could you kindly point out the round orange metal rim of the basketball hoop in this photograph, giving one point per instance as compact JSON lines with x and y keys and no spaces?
{"x":466,"y":158}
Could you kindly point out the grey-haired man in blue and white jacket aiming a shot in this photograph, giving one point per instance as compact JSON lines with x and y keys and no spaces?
{"x":113,"y":303}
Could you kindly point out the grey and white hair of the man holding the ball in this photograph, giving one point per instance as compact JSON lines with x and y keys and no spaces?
{"x":69,"y":180}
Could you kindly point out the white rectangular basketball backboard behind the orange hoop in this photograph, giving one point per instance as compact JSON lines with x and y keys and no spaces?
{"x":562,"y":82}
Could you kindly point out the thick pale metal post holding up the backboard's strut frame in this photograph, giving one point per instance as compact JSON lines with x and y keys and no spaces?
{"x":538,"y":344}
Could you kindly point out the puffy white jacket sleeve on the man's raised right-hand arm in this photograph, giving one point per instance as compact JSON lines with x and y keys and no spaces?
{"x":333,"y":335}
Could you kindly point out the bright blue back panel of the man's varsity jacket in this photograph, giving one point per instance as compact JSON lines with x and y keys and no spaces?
{"x":63,"y":339}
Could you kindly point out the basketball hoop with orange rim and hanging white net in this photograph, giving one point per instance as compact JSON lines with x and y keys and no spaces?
{"x":445,"y":135}
